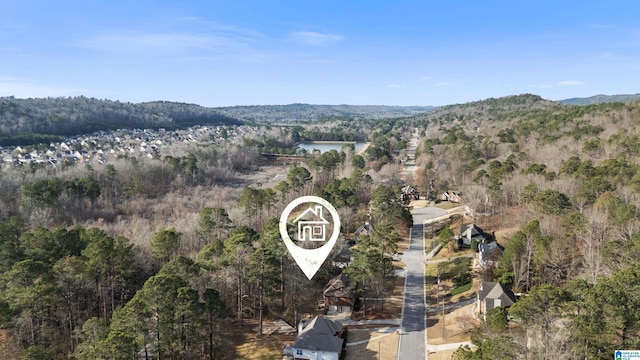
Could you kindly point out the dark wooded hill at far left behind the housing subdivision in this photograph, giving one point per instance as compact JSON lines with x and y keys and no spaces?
{"x":77,"y":115}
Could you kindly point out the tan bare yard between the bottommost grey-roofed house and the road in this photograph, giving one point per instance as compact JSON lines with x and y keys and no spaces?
{"x":380,"y":345}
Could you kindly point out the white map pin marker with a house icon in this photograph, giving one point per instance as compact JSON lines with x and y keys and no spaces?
{"x":311,"y":225}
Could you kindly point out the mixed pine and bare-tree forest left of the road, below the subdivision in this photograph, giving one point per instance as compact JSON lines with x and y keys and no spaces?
{"x":166,"y":257}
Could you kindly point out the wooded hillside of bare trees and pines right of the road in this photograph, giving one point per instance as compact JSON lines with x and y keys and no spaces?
{"x":565,"y":178}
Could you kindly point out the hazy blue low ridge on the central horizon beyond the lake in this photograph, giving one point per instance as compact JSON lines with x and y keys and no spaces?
{"x":308,"y":113}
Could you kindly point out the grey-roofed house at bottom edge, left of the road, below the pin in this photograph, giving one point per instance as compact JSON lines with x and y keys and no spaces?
{"x":319,"y":338}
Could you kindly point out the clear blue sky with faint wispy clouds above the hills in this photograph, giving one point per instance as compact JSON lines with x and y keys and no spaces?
{"x":220,"y":53}
